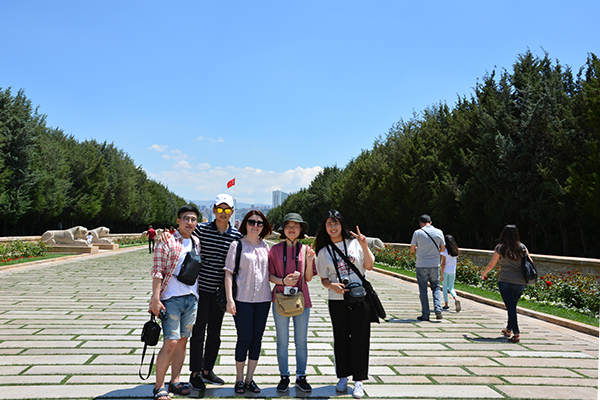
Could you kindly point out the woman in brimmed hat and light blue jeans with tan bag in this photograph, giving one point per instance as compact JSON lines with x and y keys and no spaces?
{"x":288,"y":267}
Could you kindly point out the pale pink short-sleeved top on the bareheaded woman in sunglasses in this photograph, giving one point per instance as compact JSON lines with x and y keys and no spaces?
{"x":253,"y":275}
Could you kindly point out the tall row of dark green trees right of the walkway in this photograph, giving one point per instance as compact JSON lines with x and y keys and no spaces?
{"x":524,"y":148}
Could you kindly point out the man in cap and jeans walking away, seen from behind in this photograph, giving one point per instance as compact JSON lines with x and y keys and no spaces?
{"x":427,"y":243}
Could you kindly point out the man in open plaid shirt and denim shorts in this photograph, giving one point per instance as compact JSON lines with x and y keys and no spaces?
{"x":177,"y":300}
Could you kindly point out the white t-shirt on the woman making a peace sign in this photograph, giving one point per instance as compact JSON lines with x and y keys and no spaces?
{"x":326,"y":266}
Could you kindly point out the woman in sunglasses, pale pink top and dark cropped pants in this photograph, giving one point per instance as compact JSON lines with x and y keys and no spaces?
{"x":250,"y":308}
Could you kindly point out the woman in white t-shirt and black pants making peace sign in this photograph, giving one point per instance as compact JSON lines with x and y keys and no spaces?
{"x":351,"y":320}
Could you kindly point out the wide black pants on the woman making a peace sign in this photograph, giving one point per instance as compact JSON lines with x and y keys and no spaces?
{"x":351,"y":339}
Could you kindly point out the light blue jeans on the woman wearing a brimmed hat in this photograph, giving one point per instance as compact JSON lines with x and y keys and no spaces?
{"x":282,"y":326}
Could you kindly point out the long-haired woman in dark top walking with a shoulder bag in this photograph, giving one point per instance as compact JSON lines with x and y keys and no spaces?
{"x":511,"y":282}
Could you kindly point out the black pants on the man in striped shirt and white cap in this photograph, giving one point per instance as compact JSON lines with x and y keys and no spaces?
{"x":209,"y":319}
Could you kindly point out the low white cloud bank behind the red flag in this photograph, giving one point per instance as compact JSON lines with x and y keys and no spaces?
{"x":252,"y":185}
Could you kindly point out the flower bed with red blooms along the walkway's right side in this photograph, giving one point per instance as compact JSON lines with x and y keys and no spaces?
{"x":570,"y":290}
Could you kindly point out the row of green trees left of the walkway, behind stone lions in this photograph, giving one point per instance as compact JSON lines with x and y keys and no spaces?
{"x":48,"y":178}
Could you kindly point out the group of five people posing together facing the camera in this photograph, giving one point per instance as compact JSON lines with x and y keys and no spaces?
{"x":238,"y":267}
